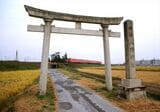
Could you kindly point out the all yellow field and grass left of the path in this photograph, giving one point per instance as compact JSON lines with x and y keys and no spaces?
{"x":19,"y":88}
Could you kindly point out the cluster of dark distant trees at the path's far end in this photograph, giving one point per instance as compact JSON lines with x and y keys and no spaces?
{"x":55,"y":57}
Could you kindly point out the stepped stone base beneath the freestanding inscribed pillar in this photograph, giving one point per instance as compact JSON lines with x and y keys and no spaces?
{"x":132,"y":89}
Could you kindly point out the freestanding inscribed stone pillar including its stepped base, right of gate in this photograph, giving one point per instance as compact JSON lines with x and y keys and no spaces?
{"x":131,"y":87}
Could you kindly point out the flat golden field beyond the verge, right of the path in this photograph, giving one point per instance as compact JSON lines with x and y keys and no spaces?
{"x":151,"y":79}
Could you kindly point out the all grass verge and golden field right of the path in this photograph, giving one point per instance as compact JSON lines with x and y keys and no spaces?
{"x":92,"y":77}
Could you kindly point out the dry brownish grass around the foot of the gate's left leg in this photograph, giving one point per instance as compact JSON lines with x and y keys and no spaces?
{"x":30,"y":101}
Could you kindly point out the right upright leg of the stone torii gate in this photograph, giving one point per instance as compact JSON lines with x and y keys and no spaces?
{"x":108,"y":74}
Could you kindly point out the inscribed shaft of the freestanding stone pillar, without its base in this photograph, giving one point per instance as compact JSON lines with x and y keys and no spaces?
{"x":129,"y":49}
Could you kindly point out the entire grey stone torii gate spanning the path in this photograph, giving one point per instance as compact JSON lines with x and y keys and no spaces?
{"x":49,"y":16}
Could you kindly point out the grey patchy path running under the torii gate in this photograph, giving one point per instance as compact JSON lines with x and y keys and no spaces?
{"x":74,"y":98}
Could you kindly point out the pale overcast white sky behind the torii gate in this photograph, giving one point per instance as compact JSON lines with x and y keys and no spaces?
{"x":14,"y":36}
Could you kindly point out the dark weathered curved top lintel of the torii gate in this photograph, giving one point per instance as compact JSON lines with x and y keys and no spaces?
{"x":39,"y":13}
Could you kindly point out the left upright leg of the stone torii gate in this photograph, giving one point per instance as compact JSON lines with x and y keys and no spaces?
{"x":44,"y":60}
